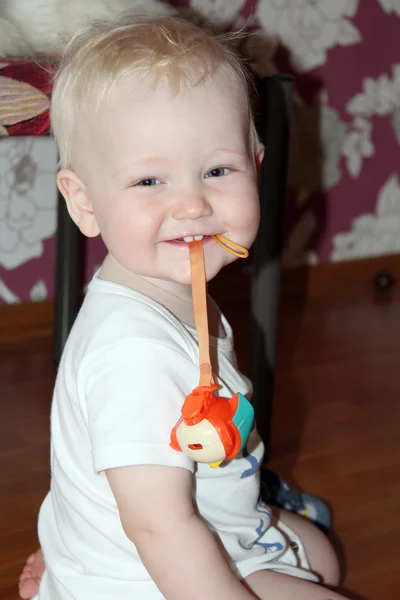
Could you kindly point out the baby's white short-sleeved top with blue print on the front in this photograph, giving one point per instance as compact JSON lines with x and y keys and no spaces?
{"x":127,"y":367}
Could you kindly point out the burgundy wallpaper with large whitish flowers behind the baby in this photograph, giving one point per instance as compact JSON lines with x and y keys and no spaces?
{"x":344,"y":188}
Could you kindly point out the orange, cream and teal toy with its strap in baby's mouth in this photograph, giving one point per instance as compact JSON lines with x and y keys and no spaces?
{"x":212,"y":429}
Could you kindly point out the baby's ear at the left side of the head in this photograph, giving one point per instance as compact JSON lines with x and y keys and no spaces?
{"x":78,"y":203}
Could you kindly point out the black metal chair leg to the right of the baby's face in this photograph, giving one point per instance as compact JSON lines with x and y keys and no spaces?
{"x":276,"y":95}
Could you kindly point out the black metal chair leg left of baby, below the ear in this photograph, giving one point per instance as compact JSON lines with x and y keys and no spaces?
{"x":68,"y":277}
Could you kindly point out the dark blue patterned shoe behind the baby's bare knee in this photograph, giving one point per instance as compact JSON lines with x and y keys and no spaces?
{"x":276,"y":492}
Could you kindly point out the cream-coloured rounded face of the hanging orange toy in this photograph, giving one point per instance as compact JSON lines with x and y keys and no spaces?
{"x":201,"y":442}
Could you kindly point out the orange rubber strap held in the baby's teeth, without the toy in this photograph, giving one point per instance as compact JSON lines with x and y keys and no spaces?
{"x":199,"y":295}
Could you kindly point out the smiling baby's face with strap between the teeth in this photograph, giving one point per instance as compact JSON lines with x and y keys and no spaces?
{"x":161,"y":167}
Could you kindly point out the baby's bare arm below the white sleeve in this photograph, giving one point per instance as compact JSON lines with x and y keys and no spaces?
{"x":176,"y":547}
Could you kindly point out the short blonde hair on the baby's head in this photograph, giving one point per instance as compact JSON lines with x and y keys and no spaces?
{"x":104,"y":54}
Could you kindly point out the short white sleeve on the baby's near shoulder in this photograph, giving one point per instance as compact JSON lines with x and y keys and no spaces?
{"x":132,"y":398}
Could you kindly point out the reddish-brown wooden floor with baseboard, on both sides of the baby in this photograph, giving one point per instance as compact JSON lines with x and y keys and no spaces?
{"x":335,"y":430}
